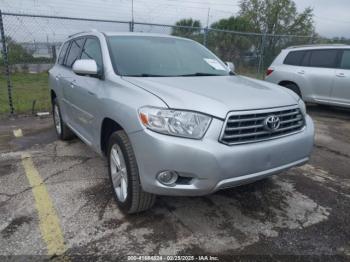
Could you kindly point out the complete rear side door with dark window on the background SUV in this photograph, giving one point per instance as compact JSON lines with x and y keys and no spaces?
{"x":320,"y":72}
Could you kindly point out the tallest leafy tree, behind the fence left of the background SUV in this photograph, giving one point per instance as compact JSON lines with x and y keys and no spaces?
{"x":278,"y":17}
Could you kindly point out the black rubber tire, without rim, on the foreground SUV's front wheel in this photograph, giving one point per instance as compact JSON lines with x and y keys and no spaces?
{"x":136,"y":200}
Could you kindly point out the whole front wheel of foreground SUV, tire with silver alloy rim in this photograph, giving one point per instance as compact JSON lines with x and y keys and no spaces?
{"x":135,"y":200}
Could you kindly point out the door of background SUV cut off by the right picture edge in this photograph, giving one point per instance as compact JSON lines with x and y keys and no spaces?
{"x":341,"y":86}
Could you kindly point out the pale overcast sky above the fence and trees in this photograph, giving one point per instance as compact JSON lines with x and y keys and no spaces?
{"x":332,"y":18}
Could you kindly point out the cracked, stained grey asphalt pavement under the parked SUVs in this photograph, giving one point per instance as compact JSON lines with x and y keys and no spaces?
{"x":56,"y":201}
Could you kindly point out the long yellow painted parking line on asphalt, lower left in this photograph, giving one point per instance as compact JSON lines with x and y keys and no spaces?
{"x":48,"y":220}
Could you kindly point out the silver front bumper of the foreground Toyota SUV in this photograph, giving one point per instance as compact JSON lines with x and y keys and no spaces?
{"x":213,"y":165}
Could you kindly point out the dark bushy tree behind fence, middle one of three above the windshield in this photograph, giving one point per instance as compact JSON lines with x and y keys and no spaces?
{"x":230,"y":46}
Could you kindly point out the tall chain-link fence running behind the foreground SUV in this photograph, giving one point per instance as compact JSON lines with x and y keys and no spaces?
{"x":30,"y":43}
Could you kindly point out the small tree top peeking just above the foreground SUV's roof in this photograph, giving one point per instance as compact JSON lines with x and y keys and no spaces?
{"x":187,"y":28}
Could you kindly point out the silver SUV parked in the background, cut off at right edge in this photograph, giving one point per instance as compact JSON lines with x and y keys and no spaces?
{"x":318,"y":74}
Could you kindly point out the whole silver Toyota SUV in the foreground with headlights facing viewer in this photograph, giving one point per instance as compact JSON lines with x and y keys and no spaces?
{"x":172,"y":118}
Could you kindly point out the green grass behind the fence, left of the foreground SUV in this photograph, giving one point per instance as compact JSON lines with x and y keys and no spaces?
{"x":26,"y":89}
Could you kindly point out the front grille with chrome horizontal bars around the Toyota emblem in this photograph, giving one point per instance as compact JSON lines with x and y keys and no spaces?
{"x":249,"y":127}
